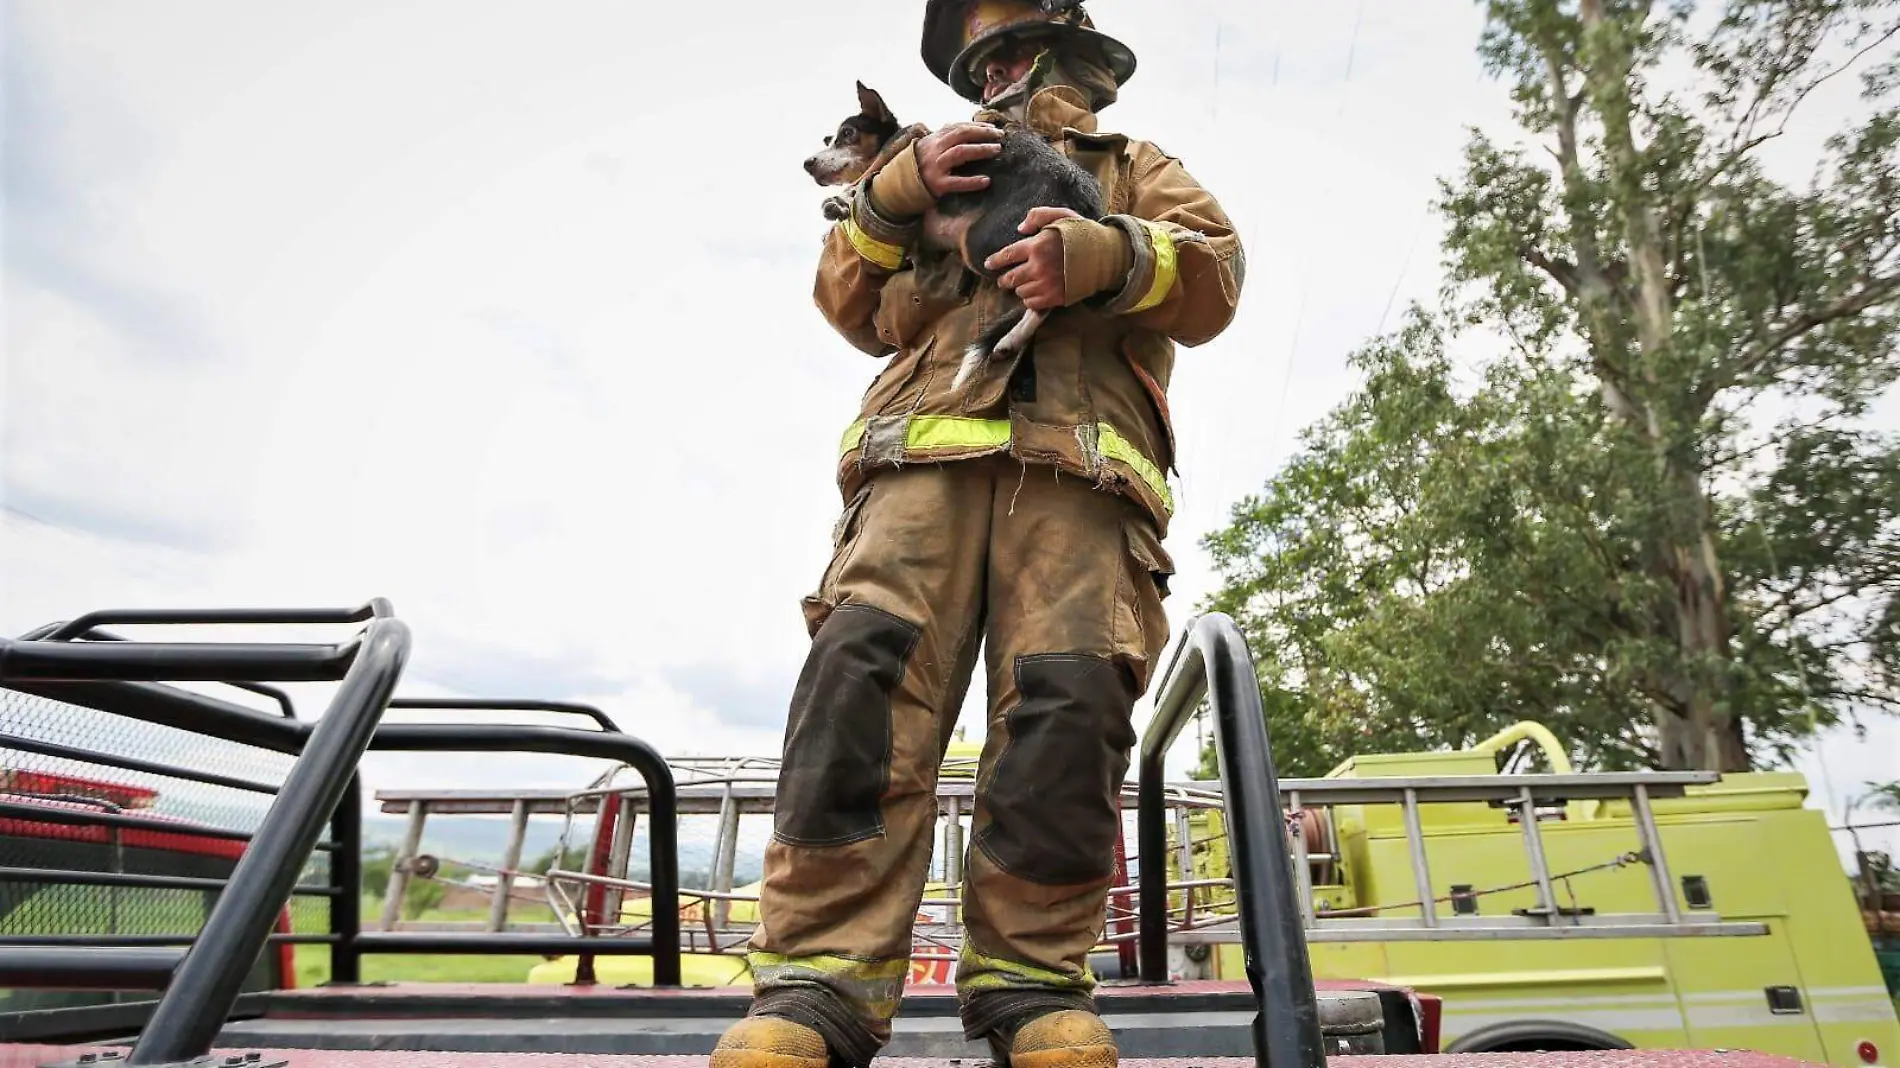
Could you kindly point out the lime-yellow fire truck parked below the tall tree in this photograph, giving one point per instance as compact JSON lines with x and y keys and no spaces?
{"x":1563,"y":911}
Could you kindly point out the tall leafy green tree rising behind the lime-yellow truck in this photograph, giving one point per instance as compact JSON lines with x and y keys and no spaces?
{"x":1599,"y":531}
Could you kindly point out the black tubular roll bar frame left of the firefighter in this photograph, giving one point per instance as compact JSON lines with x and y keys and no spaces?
{"x":202,"y":983}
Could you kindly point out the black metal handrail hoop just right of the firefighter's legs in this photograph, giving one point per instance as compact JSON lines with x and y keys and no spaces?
{"x":1213,"y":662}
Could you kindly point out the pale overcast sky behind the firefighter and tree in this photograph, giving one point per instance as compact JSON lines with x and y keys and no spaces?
{"x":504,"y":311}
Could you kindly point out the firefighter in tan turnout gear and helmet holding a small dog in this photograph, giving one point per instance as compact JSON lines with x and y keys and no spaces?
{"x":1025,"y":514}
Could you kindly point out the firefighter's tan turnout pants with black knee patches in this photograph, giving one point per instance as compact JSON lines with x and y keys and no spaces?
{"x":1063,"y":582}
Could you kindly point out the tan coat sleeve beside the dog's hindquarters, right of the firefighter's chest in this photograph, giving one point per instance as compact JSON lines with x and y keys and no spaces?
{"x":1188,"y":261}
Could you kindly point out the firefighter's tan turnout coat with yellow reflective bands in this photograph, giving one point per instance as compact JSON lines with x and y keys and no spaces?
{"x":1095,"y":400}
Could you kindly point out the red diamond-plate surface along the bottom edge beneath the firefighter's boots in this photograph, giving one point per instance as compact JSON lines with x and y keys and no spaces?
{"x":39,"y":1056}
